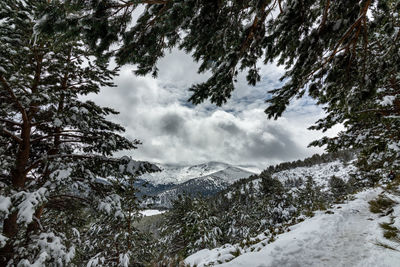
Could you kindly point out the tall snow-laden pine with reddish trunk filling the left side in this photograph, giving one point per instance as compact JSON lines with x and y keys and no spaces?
{"x":55,"y":148}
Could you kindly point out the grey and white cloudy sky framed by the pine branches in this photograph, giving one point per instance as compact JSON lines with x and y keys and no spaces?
{"x":172,"y":130}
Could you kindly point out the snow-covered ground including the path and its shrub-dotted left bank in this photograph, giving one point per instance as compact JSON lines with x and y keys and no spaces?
{"x":348,"y":237}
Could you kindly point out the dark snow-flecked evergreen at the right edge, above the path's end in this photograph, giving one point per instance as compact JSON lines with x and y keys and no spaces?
{"x":372,"y":109}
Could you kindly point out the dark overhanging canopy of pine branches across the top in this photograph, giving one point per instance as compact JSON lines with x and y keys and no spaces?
{"x":344,"y":54}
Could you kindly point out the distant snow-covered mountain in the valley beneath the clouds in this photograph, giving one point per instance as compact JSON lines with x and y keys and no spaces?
{"x":203,"y":179}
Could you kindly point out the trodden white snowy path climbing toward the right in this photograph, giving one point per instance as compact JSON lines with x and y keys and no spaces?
{"x":346,"y":238}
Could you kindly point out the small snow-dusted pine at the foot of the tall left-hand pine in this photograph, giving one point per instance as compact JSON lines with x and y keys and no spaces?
{"x":112,"y":238}
